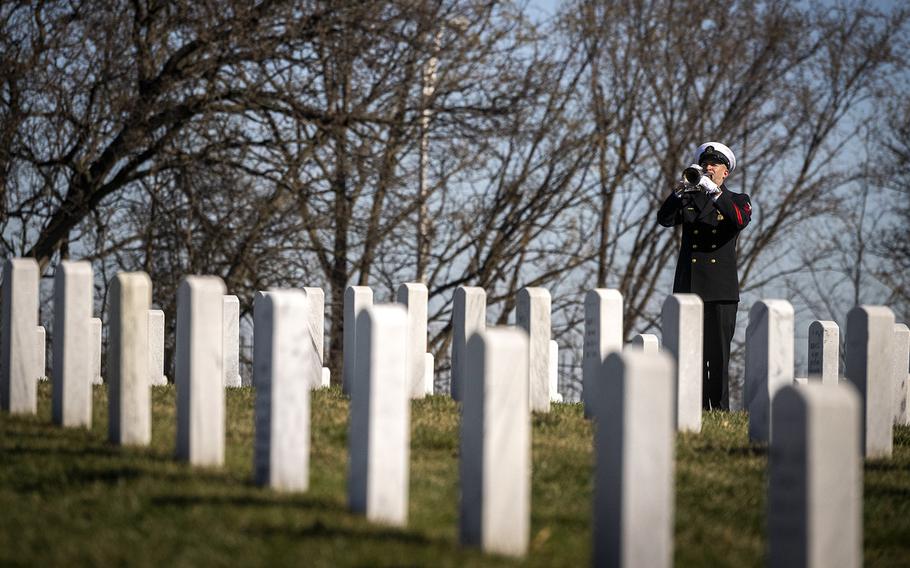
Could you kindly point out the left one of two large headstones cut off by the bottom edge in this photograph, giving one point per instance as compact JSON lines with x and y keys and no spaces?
{"x":634,"y":451}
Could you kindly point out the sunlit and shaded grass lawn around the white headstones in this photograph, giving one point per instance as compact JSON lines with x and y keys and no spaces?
{"x":68,"y":497}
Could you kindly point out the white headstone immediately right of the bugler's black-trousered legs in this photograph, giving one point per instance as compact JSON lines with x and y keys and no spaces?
{"x":769,"y":362}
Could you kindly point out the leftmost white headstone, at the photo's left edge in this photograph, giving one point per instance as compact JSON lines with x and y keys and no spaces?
{"x":18,"y":362}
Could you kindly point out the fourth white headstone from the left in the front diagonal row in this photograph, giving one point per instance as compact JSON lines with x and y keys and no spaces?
{"x":199,"y":378}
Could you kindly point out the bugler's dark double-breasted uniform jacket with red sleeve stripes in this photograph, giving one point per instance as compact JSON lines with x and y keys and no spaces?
{"x":707,"y":257}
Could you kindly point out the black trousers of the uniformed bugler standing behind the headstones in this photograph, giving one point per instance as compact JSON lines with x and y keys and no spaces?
{"x":720,"y":323}
